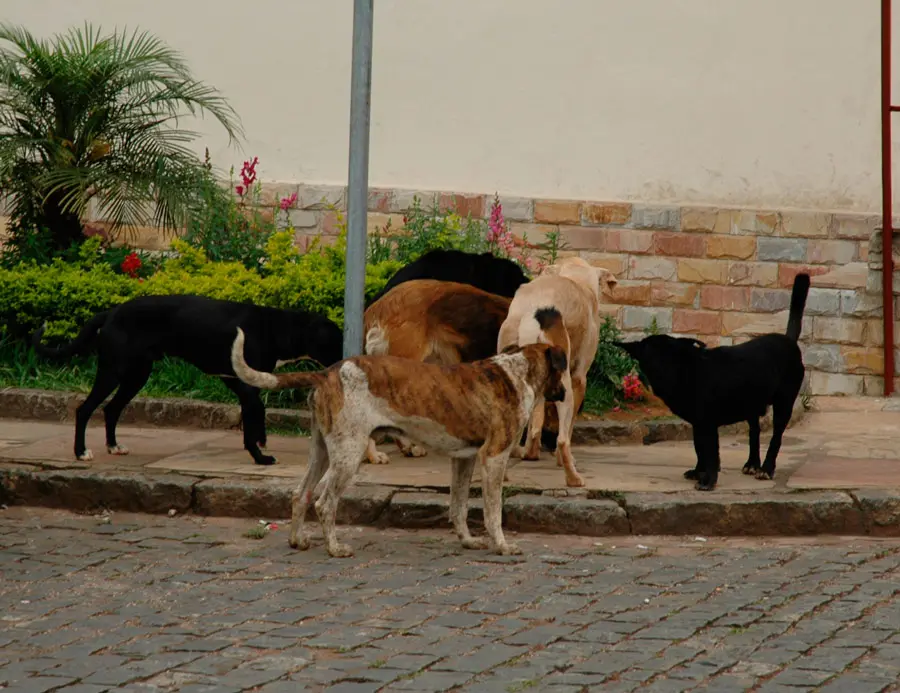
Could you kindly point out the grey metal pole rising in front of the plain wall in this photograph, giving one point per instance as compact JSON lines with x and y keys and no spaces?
{"x":358,"y":178}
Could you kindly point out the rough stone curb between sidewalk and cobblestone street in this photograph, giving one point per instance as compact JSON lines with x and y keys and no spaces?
{"x":873,"y":512}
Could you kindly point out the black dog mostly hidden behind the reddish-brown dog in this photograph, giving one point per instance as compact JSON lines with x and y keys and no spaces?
{"x":492,"y":274}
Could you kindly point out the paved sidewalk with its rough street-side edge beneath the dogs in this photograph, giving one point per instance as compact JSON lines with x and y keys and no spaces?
{"x":847,"y":448}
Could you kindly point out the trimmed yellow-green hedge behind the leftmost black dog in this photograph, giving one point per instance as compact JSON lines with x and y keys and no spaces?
{"x":66,"y":295}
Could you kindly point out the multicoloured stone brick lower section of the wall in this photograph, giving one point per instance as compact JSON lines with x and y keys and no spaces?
{"x":720,"y":275}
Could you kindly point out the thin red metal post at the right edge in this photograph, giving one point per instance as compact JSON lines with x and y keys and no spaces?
{"x":887,"y":190}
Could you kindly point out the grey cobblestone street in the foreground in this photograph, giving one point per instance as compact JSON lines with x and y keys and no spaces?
{"x":149,"y":603}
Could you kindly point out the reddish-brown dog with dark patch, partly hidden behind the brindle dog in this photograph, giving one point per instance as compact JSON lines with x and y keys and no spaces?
{"x":435,"y":322}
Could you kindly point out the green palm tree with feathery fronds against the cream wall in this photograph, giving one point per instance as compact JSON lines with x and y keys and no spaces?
{"x":85,"y":117}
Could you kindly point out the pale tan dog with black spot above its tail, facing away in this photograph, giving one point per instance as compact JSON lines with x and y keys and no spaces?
{"x":573,"y":288}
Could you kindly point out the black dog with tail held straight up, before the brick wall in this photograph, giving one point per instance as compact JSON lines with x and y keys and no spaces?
{"x":709,"y":388}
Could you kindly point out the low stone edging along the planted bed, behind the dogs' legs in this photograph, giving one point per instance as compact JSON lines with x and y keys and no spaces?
{"x":47,"y":405}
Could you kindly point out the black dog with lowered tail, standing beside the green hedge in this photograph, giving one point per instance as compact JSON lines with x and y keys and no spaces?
{"x":131,"y":336}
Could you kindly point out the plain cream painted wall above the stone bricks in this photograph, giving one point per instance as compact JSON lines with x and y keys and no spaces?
{"x":770,"y":103}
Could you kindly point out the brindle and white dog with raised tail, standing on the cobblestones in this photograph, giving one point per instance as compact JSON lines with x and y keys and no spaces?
{"x":470,"y":411}
